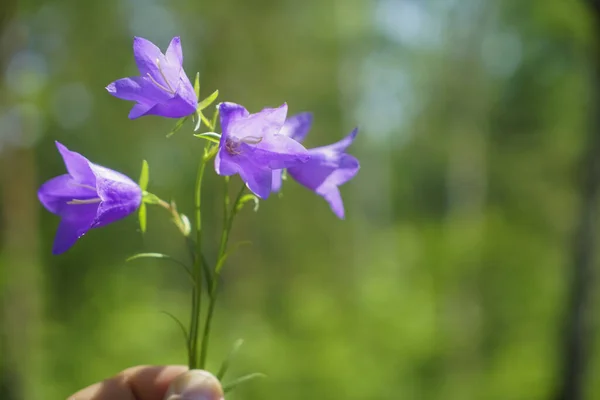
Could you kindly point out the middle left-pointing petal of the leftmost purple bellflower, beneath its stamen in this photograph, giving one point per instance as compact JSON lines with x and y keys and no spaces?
{"x":57,"y":192}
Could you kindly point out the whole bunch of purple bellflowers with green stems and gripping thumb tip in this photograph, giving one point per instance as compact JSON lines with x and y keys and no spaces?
{"x":263,"y":148}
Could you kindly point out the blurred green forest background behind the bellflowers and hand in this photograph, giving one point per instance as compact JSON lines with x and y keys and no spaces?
{"x":452,"y":275}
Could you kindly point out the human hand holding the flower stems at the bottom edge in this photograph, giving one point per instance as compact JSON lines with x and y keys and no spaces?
{"x":153,"y":383}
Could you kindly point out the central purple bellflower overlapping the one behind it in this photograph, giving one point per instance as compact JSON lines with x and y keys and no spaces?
{"x":251,"y":145}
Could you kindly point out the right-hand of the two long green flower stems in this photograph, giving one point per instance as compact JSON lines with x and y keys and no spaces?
{"x":227,"y":225}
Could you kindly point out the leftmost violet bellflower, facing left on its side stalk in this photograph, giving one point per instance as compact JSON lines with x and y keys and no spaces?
{"x":89,"y":196}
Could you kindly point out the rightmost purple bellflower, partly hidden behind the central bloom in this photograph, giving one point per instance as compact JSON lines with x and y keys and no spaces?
{"x":328,"y":166}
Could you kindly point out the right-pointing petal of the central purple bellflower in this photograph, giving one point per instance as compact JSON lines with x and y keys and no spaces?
{"x":278,"y":151}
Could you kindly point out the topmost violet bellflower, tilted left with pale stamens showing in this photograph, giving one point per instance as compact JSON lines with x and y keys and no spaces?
{"x":162,"y":88}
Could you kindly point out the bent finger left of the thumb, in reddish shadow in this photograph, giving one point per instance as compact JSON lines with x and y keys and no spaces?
{"x":136,"y":383}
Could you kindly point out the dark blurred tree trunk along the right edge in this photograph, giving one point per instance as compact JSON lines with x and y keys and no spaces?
{"x":577,"y":326}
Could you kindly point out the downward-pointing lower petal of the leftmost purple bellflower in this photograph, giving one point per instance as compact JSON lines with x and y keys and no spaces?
{"x":72,"y":228}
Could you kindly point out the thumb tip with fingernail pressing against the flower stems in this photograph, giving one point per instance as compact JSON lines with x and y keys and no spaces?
{"x":195,"y":384}
